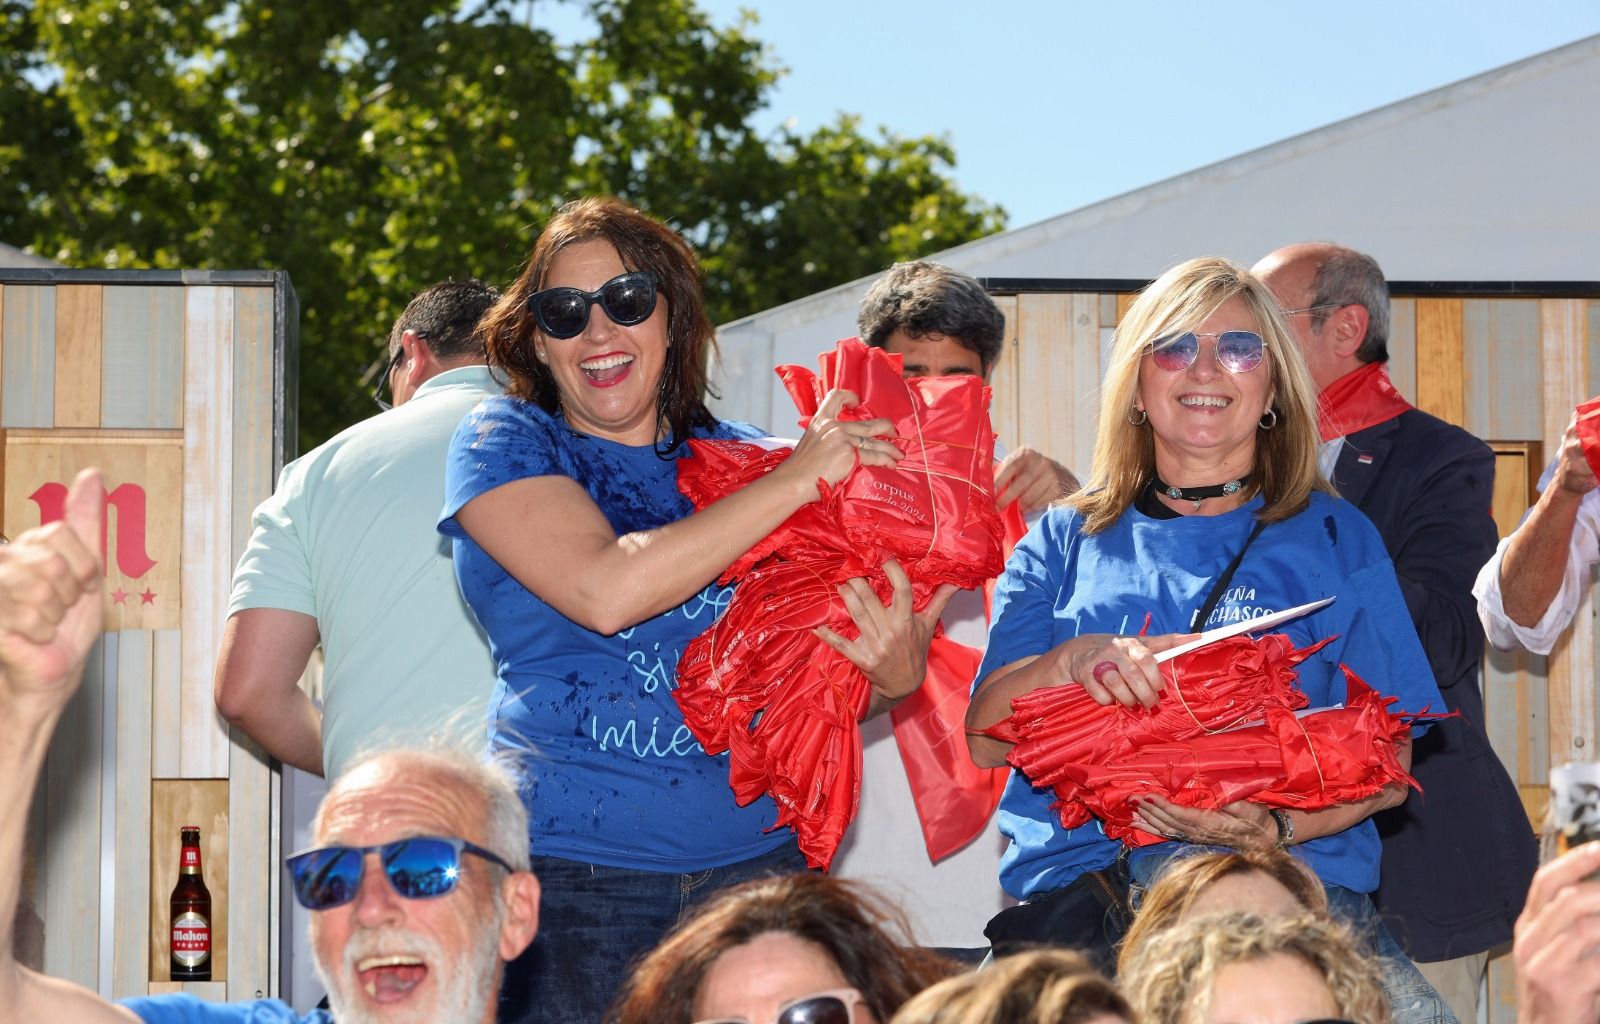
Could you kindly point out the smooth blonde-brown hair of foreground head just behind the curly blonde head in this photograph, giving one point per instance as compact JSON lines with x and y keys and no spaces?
{"x":1188,"y":876}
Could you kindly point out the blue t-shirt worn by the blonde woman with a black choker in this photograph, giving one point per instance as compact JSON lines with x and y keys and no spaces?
{"x":1060,"y":585}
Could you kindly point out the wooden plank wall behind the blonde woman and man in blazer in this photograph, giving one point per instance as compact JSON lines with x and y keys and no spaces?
{"x":1508,"y":370}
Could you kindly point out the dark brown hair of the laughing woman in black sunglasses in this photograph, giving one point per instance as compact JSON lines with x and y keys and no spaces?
{"x":642,"y":244}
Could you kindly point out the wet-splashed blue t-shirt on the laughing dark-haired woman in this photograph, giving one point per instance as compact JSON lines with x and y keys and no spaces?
{"x":615,"y":778}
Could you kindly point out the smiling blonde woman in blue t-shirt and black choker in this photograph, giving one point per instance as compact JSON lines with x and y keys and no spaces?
{"x":1206,"y":510}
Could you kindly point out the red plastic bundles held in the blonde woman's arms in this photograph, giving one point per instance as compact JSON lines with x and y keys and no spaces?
{"x":1226,"y":729}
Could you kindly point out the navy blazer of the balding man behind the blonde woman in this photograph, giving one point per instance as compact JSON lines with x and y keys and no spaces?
{"x":1458,"y":857}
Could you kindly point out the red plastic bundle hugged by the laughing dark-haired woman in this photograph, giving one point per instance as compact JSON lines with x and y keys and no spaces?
{"x":759,"y":684}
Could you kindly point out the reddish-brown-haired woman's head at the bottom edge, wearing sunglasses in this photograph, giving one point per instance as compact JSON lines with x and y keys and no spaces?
{"x":793,"y":950}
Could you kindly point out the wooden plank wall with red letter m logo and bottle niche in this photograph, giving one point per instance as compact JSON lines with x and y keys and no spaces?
{"x":169,"y":390}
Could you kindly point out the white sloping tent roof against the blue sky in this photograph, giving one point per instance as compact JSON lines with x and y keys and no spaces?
{"x":1490,"y":178}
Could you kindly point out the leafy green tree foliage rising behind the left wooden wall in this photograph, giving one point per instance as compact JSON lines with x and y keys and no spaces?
{"x":375,"y":148}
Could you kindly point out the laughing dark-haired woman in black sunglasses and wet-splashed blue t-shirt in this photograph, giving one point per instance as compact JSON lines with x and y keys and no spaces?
{"x":590,"y":575}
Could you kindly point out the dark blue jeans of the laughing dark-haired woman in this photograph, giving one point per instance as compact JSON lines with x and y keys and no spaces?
{"x":598,"y":921}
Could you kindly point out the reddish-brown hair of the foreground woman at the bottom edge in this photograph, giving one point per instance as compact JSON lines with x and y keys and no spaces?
{"x":865,"y":937}
